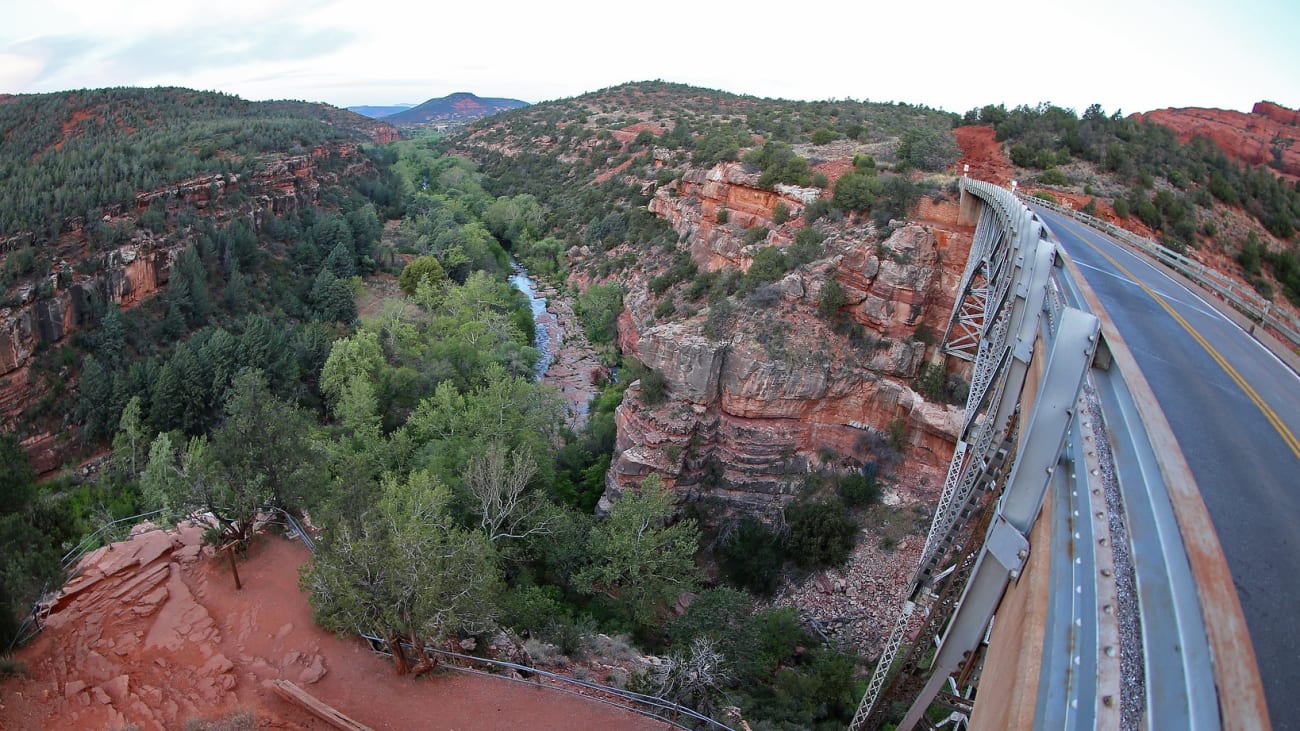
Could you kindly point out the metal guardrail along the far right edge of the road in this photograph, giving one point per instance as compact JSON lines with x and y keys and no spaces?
{"x":1243,"y":299}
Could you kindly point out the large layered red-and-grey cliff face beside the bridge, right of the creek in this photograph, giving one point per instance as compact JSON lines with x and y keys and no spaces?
{"x":755,"y":408}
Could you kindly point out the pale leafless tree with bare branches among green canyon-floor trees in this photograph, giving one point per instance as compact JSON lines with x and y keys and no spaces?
{"x":500,"y":485}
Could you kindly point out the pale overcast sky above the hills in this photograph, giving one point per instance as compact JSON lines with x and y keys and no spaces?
{"x":1129,"y":55}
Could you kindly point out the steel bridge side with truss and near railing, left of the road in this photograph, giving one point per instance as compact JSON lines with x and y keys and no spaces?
{"x":1072,"y":577}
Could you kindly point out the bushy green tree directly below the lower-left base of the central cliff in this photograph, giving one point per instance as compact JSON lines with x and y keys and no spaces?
{"x":639,"y":556}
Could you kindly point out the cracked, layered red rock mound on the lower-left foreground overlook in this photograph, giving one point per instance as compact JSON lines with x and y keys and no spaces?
{"x":128,"y":642}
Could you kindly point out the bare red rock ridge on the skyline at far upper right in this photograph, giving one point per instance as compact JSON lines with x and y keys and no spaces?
{"x":1267,"y":136}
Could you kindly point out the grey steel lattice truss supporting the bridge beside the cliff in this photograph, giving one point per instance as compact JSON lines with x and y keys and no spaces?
{"x":995,"y":325}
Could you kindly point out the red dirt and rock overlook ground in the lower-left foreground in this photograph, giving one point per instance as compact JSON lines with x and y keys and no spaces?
{"x":154,"y":634}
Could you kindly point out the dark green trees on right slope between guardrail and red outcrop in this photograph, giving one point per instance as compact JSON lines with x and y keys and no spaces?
{"x":1171,"y":187}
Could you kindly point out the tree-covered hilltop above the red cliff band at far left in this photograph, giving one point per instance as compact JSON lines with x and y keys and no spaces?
{"x":71,"y":155}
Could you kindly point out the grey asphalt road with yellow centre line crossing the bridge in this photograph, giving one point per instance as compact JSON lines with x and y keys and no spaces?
{"x":1246,"y":460}
